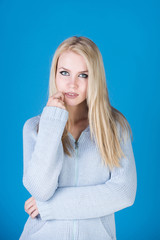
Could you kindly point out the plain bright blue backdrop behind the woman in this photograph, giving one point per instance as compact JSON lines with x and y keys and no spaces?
{"x":127,"y":34}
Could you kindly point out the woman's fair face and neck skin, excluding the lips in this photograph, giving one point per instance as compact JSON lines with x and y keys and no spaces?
{"x":72,"y":76}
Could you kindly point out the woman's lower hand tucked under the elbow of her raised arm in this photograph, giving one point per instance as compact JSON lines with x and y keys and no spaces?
{"x":31,"y":207}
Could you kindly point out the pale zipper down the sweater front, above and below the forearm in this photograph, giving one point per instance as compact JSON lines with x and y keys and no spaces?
{"x":75,"y":222}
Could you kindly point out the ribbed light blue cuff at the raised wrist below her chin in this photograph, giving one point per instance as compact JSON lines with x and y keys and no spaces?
{"x":50,"y":112}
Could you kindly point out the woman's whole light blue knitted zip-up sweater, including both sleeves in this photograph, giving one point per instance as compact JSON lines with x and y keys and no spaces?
{"x":76,"y":196}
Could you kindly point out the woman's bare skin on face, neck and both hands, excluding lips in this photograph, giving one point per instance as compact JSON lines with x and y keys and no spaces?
{"x":71,"y":76}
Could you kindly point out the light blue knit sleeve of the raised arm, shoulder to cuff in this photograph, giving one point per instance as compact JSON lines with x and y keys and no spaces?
{"x":43,"y":152}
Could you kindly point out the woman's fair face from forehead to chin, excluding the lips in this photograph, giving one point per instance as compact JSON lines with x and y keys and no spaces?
{"x":72,"y":76}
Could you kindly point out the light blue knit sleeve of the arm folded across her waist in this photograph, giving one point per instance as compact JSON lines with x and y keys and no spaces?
{"x":98,"y":200}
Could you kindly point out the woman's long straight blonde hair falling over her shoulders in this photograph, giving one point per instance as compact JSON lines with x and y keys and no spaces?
{"x":107,"y":124}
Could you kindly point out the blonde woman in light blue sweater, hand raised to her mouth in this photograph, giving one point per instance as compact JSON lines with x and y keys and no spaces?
{"x":79,"y":164}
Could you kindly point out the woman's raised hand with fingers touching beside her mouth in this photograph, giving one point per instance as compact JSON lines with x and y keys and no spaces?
{"x":57,"y":100}
